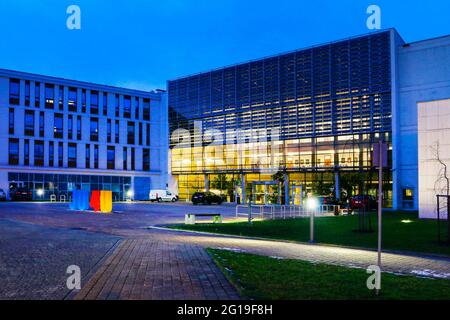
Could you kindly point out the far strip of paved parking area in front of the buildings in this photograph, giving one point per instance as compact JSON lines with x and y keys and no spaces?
{"x":127,"y":219}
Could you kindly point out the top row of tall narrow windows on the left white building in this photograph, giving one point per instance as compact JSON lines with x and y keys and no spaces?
{"x":52,"y":95}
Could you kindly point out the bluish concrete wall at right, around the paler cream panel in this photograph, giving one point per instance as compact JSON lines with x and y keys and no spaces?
{"x":424,"y":75}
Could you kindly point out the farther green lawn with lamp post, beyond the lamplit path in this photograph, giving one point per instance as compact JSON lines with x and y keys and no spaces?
{"x":417,"y":236}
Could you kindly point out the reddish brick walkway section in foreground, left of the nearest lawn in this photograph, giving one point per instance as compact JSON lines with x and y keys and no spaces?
{"x":148,"y":269}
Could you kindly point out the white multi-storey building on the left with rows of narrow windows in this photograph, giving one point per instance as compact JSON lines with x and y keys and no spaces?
{"x":60,"y":135}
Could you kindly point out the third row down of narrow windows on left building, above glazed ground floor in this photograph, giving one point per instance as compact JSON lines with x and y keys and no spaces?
{"x":14,"y":150}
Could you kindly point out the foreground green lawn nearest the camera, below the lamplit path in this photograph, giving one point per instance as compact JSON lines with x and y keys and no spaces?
{"x":259,"y":277}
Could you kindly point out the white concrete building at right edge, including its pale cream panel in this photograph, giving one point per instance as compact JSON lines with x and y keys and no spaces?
{"x":421,"y":121}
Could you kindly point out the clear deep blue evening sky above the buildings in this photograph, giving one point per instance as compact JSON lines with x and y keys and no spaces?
{"x":140,"y":44}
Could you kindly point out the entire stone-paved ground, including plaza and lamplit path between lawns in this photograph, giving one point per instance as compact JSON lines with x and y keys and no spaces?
{"x":38,"y":241}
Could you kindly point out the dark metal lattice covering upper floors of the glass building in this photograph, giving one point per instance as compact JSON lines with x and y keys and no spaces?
{"x":336,"y":89}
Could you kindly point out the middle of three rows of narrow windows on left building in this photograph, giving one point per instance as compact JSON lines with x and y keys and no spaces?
{"x":58,"y":128}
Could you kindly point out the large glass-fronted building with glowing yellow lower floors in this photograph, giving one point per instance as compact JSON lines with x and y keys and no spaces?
{"x":306,"y":120}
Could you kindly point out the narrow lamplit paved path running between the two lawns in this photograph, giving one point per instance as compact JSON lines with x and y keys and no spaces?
{"x":396,"y":263}
